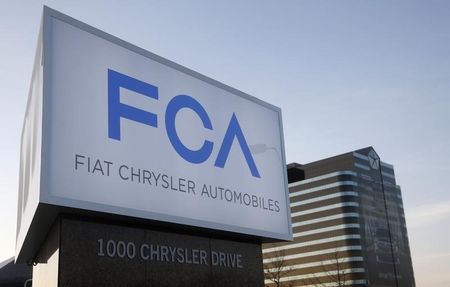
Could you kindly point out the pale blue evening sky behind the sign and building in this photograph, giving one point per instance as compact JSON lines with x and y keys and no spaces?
{"x":346,"y":74}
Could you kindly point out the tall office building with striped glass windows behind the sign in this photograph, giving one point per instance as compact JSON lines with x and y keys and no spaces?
{"x":348,"y":224}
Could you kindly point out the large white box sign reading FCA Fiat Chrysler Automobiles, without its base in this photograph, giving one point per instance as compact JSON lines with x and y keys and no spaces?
{"x":115,"y":129}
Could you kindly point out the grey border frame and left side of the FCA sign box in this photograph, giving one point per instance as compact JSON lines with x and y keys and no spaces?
{"x":35,"y":219}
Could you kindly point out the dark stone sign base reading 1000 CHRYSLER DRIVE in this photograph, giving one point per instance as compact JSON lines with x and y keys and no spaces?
{"x":86,"y":253}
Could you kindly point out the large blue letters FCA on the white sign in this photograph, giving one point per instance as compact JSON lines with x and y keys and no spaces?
{"x":118,"y":110}
